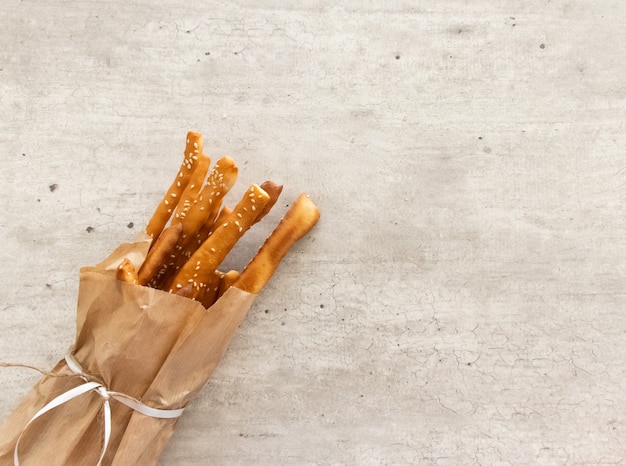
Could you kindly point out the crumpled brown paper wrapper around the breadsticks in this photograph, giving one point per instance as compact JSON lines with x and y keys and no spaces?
{"x":154,"y":346}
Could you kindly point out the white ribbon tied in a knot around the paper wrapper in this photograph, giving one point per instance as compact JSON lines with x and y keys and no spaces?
{"x":106,"y":394}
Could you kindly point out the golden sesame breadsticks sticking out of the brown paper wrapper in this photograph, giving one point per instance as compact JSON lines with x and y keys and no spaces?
{"x":185,"y":257}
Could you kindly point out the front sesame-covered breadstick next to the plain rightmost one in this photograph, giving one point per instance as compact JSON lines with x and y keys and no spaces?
{"x":201,"y":266}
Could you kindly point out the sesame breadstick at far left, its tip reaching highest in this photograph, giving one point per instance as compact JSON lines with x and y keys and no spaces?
{"x":169,"y":202}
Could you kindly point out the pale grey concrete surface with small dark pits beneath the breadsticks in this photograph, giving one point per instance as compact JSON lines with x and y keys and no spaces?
{"x":462,"y":300}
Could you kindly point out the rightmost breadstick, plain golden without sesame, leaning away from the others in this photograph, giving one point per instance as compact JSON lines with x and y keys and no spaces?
{"x":297,"y":222}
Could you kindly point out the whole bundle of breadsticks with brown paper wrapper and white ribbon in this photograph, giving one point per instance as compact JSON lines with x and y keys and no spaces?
{"x":153,"y":321}
